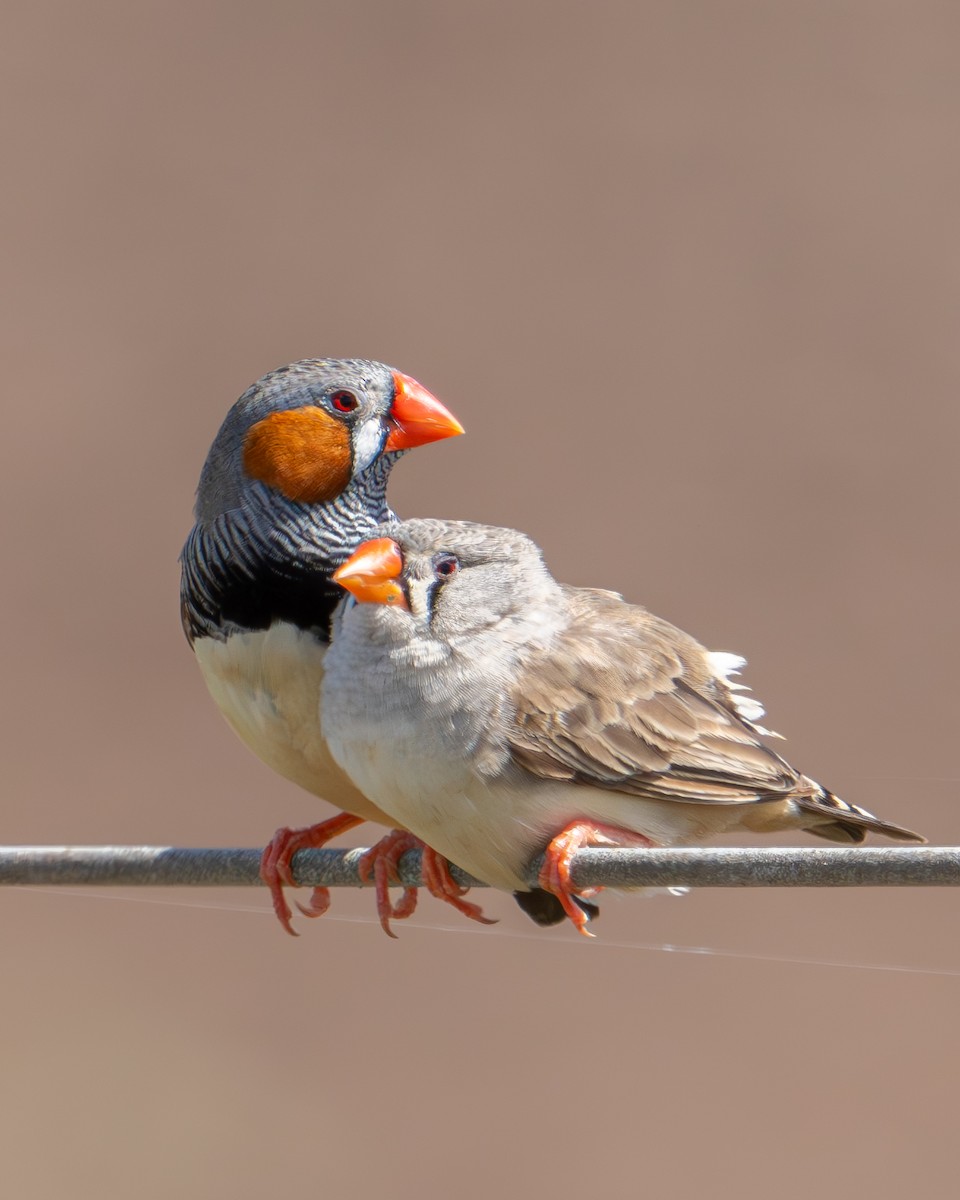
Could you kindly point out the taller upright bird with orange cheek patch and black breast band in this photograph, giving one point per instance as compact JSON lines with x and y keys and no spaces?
{"x":296,"y":478}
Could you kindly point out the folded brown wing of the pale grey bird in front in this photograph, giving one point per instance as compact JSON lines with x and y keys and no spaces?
{"x":623,"y":700}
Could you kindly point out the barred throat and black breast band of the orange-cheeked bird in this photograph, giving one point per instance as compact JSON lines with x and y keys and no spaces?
{"x":272,"y":560}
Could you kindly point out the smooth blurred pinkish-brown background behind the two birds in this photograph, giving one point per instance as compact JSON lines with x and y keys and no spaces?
{"x":689,"y":275}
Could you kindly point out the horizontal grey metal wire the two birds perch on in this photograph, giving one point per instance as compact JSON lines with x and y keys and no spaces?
{"x":728,"y":868}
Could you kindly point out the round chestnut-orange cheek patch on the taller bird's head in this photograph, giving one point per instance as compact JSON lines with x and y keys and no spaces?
{"x":303,"y":453}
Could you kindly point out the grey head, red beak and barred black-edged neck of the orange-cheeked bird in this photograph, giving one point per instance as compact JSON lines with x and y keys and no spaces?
{"x":296,"y":478}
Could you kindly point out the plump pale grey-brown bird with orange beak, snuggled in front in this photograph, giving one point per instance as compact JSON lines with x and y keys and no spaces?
{"x":500,"y":715}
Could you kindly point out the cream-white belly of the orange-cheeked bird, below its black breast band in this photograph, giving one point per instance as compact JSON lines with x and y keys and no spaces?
{"x":268,"y":686}
